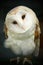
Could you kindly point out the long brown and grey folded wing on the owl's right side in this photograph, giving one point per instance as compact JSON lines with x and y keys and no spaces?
{"x":37,"y":39}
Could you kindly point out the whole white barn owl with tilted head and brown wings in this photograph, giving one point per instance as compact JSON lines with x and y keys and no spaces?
{"x":22,"y":30}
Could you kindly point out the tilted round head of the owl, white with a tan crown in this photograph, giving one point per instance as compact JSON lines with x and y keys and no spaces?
{"x":19,"y":20}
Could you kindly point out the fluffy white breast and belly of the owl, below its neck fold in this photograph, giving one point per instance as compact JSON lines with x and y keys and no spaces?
{"x":21,"y":46}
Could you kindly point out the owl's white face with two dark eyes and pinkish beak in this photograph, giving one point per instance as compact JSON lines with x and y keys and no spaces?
{"x":19,"y":22}
